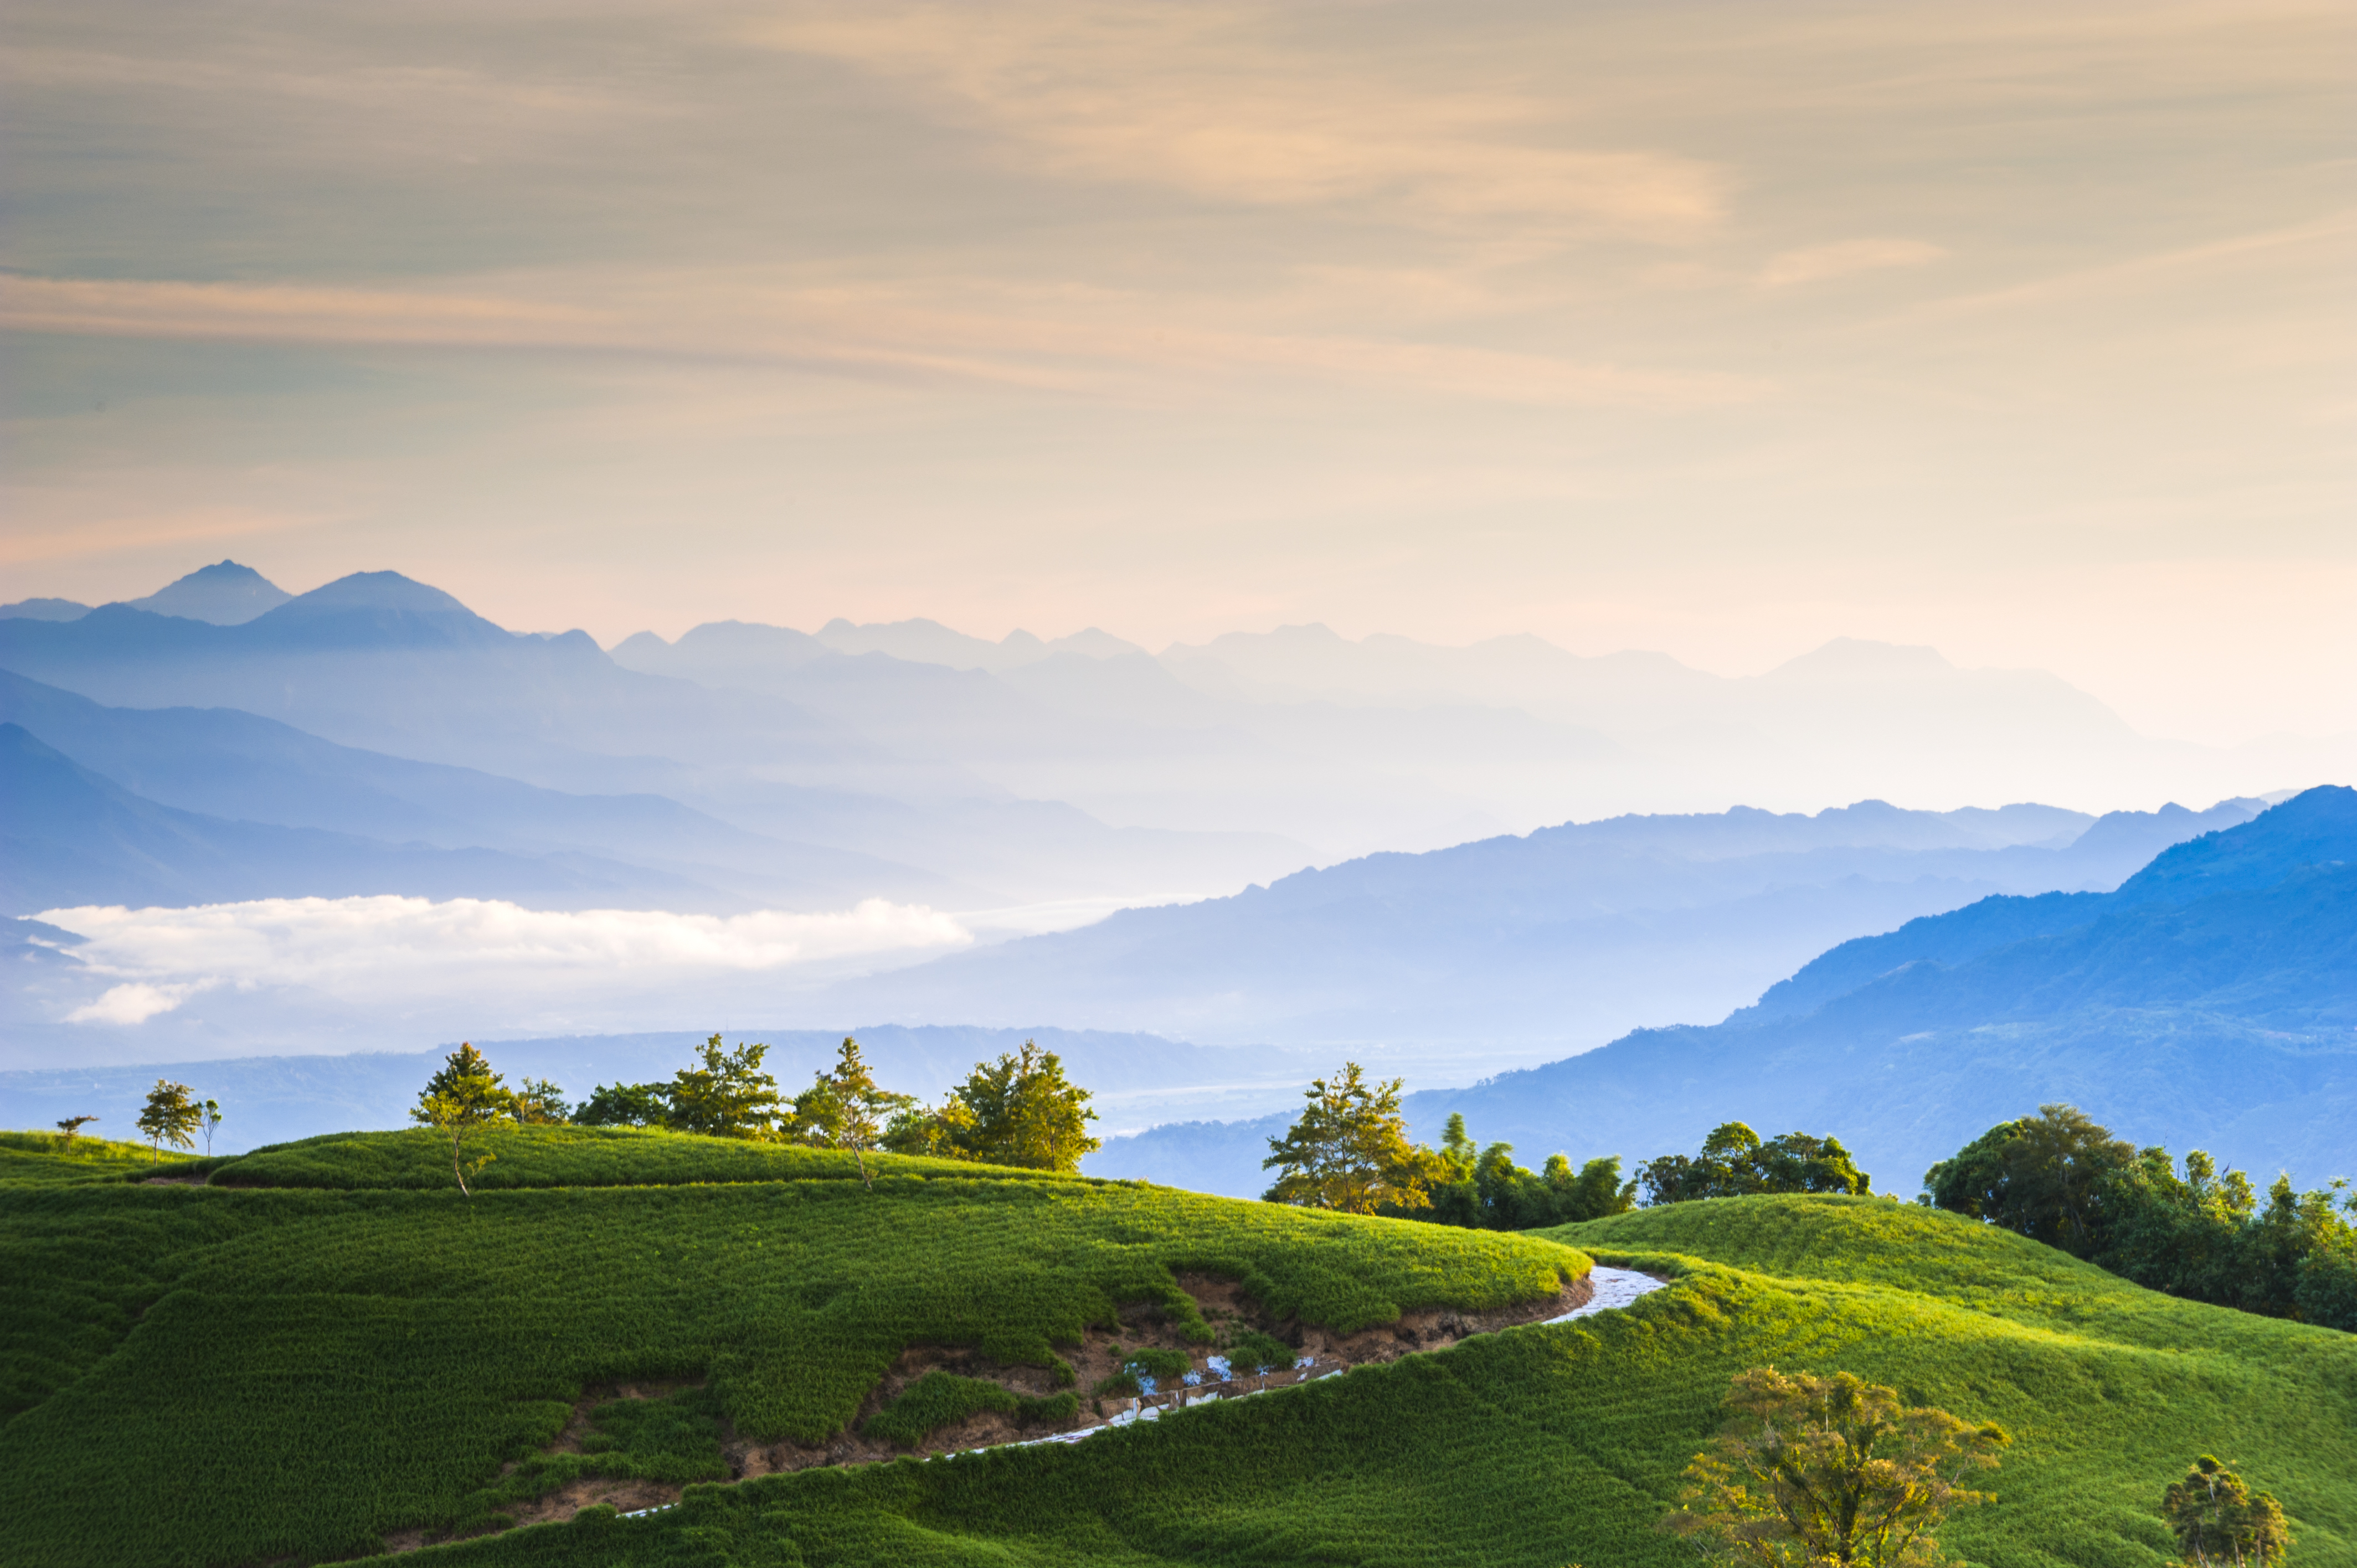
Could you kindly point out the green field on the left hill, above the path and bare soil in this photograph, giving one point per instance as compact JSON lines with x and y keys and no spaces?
{"x":227,"y":1376}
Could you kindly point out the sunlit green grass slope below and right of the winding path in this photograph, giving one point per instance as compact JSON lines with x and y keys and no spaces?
{"x":1545,"y":1447}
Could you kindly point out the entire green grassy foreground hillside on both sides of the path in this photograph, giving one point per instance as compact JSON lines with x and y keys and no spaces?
{"x":289,"y":1373}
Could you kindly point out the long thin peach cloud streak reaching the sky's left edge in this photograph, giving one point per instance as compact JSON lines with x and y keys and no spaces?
{"x":1069,"y":341}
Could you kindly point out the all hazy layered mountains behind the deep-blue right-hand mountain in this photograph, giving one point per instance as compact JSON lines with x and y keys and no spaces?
{"x":225,"y":742}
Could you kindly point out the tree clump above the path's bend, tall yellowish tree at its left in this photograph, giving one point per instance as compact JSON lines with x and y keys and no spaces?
{"x":1352,"y":1152}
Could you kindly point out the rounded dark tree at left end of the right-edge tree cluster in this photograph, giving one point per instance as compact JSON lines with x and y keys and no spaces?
{"x":2045,"y":1175}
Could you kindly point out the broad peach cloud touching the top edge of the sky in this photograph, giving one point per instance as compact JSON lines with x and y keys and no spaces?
{"x":1213,"y":103}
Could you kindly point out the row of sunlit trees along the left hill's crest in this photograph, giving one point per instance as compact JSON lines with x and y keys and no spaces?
{"x":1010,"y":1112}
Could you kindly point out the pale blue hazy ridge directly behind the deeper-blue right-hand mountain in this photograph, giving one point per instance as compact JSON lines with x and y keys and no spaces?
{"x":1529,"y":947}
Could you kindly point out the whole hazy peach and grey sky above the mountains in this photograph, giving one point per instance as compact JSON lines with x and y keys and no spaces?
{"x":2023,"y":331}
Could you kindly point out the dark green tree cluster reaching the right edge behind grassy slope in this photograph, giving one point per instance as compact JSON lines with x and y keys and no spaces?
{"x":2191,"y":1232}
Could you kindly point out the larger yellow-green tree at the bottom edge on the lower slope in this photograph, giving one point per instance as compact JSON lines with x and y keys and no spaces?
{"x":1830,"y":1470}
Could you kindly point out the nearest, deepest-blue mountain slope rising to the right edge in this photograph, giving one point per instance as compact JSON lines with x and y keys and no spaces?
{"x":2210,"y":1001}
